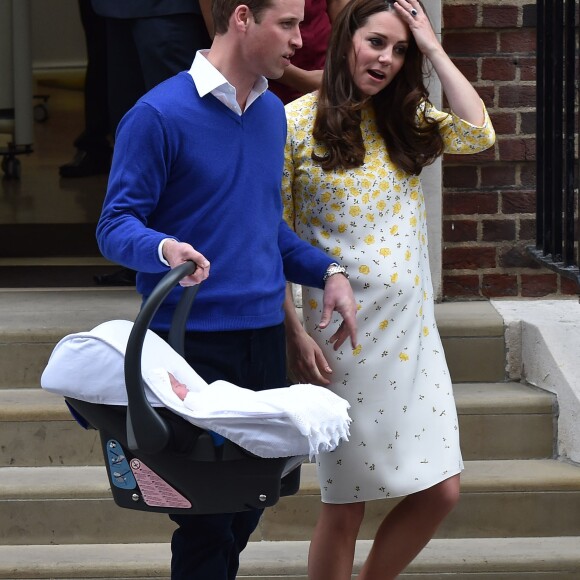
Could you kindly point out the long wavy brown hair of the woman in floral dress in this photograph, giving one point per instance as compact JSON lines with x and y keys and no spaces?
{"x":411,"y":146}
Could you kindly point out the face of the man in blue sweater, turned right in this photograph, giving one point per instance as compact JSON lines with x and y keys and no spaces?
{"x":272,"y":41}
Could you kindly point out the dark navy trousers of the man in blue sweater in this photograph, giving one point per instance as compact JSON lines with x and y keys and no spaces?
{"x":207,"y":547}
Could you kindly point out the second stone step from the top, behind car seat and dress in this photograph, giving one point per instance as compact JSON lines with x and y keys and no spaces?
{"x":497,"y":421}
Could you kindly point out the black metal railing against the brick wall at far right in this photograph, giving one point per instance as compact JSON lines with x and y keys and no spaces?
{"x":557,"y":105}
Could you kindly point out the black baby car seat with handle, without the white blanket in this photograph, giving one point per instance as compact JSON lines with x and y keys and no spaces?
{"x":157,"y":461}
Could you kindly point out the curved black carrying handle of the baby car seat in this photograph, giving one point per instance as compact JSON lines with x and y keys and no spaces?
{"x":147,"y":431}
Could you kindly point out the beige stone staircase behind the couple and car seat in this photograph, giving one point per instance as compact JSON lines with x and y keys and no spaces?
{"x":517,"y":517}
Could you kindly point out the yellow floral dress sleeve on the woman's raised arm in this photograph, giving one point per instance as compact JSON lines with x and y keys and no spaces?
{"x":460,"y":136}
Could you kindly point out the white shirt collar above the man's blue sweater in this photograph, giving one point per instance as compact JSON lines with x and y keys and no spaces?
{"x":209,"y":79}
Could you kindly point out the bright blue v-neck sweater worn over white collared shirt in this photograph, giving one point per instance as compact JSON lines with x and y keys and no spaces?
{"x":190,"y":168}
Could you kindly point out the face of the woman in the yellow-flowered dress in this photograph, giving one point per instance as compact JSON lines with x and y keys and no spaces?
{"x":378,"y":52}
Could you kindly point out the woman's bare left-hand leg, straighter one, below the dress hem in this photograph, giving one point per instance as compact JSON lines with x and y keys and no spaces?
{"x":333,"y":542}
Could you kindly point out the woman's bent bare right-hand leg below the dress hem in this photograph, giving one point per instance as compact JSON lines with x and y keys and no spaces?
{"x":407,"y":529}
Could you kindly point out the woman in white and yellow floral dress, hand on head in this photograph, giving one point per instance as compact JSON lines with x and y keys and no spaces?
{"x":351,"y":186}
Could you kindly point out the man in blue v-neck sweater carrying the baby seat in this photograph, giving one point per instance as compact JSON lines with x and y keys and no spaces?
{"x":196,"y":176}
